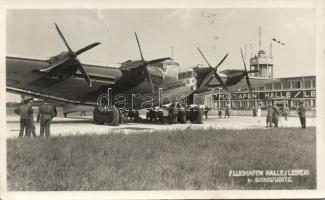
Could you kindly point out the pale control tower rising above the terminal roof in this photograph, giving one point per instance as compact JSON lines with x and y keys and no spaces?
{"x":263,"y":63}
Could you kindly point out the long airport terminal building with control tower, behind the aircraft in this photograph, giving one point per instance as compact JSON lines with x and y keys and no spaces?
{"x":265,"y":89}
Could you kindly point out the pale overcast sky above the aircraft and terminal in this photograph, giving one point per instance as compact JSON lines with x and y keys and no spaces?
{"x":31,"y":33}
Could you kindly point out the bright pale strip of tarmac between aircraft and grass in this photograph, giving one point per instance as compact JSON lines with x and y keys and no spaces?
{"x":75,"y":125}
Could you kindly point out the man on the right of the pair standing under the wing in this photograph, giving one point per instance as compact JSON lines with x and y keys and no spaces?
{"x":45,"y":115}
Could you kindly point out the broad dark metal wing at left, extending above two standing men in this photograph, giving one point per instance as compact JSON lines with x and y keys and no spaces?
{"x":23,"y":76}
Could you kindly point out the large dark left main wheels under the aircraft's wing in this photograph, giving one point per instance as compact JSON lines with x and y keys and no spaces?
{"x":111,"y":117}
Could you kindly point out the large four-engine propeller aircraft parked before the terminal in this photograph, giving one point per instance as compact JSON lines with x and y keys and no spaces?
{"x":134,"y":85}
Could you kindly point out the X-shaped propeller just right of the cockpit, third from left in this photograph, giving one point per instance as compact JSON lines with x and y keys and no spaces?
{"x":213,"y":72}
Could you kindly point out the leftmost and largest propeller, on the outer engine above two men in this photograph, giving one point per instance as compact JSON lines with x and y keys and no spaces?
{"x":72,"y":56}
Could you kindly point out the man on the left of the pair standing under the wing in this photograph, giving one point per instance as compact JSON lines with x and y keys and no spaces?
{"x":25,"y":111}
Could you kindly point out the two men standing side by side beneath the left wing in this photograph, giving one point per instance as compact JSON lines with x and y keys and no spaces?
{"x":46,"y":112}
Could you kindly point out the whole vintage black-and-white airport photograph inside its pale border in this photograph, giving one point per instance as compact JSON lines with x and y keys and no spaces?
{"x":160,"y":99}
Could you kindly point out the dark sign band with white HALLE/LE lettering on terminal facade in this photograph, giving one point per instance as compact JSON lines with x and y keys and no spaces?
{"x":289,"y":94}
